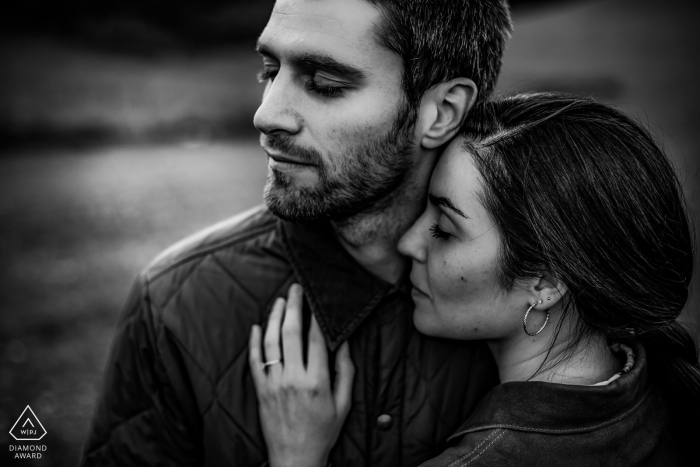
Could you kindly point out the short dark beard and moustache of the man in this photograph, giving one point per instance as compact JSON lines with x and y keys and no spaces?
{"x":364,"y":179}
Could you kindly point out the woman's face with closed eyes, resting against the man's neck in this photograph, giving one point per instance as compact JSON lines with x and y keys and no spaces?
{"x":454,"y":246}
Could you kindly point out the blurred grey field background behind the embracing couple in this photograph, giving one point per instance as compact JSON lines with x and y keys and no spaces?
{"x":127,"y":125}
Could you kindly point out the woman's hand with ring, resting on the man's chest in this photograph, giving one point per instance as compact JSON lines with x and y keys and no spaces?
{"x":301,"y":416}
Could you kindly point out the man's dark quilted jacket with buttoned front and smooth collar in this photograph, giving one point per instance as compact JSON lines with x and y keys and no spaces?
{"x":177,"y":389}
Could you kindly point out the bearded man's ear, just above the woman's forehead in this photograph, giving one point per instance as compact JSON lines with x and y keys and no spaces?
{"x":443,"y":109}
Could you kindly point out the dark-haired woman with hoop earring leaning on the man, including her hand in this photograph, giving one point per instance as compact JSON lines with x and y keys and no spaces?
{"x":556,"y":230}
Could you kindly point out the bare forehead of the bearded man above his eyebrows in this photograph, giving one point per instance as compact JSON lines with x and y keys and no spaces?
{"x":319,"y":24}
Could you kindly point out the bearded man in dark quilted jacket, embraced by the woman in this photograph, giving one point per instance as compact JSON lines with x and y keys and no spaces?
{"x":361,"y":95}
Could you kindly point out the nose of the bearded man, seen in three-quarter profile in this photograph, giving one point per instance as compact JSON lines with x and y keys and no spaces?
{"x":277,"y":112}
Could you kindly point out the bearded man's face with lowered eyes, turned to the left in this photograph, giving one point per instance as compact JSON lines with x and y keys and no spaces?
{"x":333,"y":119}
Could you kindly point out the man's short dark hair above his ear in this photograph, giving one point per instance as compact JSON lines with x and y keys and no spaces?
{"x":439,"y":40}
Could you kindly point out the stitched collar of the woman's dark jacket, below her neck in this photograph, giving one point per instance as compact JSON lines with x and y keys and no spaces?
{"x":561,"y":408}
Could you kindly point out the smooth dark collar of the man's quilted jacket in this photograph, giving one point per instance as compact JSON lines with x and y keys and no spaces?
{"x":340,"y":292}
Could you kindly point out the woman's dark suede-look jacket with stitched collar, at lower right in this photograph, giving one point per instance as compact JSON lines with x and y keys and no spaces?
{"x":623,"y":423}
